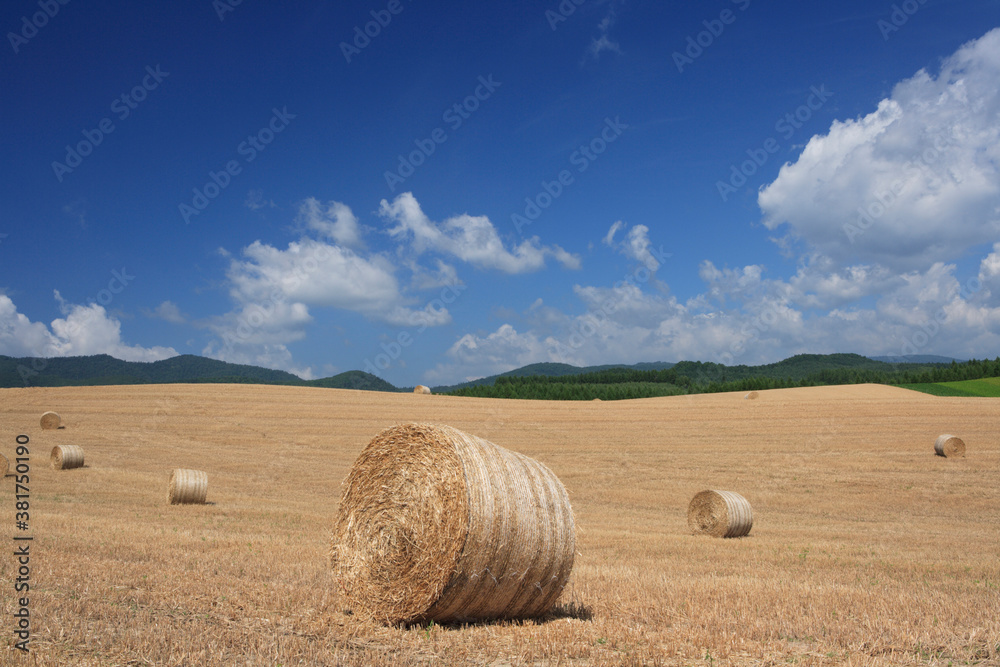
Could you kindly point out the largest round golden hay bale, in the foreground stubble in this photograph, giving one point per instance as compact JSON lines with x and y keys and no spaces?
{"x":435,"y":524}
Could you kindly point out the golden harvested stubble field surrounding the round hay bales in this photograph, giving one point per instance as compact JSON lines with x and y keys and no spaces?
{"x":865,"y":550}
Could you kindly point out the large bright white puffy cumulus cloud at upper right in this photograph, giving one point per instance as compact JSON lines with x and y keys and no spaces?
{"x":914,"y":182}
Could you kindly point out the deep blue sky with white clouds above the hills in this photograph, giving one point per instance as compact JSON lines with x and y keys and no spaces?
{"x":465,"y":190}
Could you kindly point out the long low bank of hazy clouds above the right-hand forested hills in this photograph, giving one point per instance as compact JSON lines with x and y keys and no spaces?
{"x":742,"y":317}
